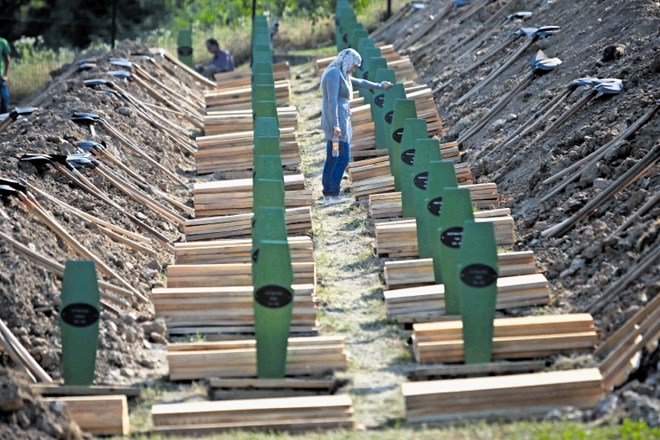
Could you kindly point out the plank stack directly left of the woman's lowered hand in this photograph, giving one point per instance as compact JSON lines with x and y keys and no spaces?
{"x":235,"y":151}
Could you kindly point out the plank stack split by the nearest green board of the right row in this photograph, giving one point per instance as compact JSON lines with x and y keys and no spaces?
{"x":513,"y":338}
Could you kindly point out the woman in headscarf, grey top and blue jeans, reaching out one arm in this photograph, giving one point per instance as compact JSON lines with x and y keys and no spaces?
{"x":336,"y":90}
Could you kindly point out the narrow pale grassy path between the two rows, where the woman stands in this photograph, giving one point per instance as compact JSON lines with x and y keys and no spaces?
{"x":350,"y":287}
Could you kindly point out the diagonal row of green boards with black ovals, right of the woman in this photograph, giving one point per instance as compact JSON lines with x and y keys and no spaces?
{"x":464,"y":252}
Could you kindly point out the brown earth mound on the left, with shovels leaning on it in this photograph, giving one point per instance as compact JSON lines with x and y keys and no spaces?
{"x":29,"y":293}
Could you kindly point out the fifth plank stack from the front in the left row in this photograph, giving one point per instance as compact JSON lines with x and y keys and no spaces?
{"x":237,"y":250}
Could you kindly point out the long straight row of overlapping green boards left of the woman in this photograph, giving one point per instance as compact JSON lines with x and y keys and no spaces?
{"x":272,"y":274}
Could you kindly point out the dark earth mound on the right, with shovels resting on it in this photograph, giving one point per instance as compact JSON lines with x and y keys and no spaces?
{"x":617,"y":39}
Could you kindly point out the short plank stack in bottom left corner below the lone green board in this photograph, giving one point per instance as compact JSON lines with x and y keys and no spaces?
{"x":98,"y":415}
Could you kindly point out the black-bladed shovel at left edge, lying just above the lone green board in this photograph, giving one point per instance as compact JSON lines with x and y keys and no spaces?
{"x":13,"y":188}
